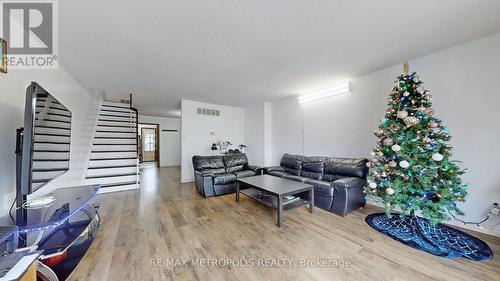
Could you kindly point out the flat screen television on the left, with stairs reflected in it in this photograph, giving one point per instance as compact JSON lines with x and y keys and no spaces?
{"x":42,"y":146}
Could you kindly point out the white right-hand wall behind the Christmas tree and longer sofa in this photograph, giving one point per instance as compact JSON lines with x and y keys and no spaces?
{"x":463,"y":81}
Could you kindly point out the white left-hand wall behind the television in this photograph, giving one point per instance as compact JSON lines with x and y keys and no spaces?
{"x":62,"y":86}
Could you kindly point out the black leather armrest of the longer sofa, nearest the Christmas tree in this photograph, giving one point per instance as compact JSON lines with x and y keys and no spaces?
{"x":348,"y":195}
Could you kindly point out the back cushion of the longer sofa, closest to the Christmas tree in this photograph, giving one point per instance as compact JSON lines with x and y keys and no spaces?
{"x":337,"y":168}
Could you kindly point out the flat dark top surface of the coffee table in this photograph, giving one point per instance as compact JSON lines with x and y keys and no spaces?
{"x":275,"y":185}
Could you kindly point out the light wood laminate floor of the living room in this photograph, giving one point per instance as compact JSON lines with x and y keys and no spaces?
{"x":142,"y":231}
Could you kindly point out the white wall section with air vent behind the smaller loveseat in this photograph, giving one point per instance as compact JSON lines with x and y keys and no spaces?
{"x":196,"y":129}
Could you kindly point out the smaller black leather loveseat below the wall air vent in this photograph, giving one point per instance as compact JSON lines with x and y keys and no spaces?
{"x":217,"y":175}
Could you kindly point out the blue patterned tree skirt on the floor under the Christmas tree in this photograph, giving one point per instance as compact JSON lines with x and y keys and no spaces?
{"x":439,"y":240}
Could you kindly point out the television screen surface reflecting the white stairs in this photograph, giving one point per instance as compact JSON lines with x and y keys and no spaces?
{"x":51,"y":140}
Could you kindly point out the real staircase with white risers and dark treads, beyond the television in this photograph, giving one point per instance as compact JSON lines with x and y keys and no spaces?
{"x":113,"y":160}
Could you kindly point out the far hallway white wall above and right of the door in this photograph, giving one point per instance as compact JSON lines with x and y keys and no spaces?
{"x":170,"y":144}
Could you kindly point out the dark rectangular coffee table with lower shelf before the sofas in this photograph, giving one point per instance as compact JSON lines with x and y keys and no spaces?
{"x":273,"y":192}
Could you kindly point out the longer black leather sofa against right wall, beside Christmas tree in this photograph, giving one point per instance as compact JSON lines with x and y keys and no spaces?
{"x":338,"y":182}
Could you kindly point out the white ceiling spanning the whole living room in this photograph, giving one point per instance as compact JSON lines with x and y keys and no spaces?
{"x":239,"y":52}
